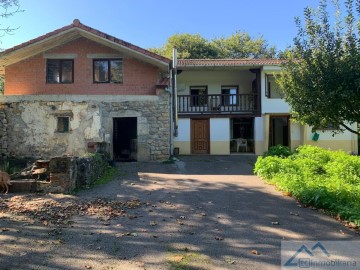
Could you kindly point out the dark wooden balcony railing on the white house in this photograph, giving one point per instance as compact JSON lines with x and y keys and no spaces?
{"x":221,"y":104}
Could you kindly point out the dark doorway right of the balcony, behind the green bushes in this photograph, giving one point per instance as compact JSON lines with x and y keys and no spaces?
{"x":279,"y":130}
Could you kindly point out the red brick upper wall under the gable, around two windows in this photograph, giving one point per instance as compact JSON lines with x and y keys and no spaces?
{"x":28,"y":77}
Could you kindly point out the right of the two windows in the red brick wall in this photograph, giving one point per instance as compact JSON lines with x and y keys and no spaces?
{"x":108,"y":71}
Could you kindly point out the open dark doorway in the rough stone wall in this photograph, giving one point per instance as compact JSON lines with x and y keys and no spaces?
{"x":124,"y":138}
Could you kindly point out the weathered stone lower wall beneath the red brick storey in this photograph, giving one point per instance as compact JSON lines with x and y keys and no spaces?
{"x":31,"y":124}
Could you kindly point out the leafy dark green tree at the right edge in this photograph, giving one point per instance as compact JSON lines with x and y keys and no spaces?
{"x":320,"y":78}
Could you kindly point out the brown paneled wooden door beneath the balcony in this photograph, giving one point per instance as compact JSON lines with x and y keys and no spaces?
{"x":200,"y":136}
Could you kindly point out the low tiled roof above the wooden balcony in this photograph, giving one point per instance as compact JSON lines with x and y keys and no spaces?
{"x":214,"y":63}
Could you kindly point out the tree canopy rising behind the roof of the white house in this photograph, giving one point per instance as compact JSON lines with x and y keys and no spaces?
{"x":238,"y":45}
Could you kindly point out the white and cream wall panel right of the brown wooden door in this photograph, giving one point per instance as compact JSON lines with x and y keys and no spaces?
{"x":219,"y":136}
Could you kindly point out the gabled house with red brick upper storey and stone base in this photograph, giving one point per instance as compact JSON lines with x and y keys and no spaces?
{"x":76,"y":89}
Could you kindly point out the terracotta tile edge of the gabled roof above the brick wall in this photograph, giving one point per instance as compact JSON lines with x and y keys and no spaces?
{"x":77,"y":24}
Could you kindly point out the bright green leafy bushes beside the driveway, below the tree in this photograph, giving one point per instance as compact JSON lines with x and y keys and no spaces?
{"x":322,"y":178}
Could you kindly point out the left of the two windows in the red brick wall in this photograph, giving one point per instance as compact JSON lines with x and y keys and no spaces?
{"x":59,"y":71}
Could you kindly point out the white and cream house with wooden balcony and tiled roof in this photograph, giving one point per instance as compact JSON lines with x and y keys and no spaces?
{"x":234,"y":106}
